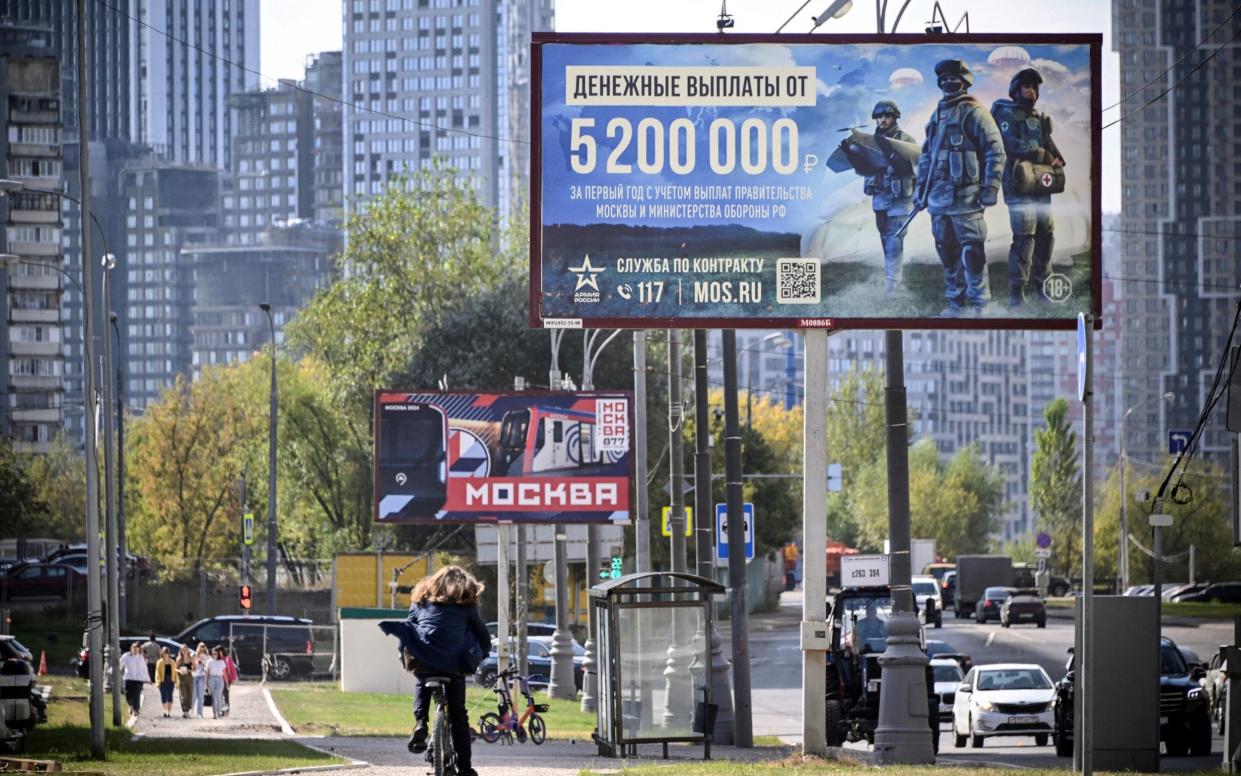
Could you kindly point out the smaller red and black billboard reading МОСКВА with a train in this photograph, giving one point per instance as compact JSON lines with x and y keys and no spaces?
{"x":526,"y":458}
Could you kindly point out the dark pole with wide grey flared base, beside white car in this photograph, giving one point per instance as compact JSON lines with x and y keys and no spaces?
{"x":903,"y":736}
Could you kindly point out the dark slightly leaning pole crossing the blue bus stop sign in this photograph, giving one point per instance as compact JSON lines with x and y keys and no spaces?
{"x":739,"y":614}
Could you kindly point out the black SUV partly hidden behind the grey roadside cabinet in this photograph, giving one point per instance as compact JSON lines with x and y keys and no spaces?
{"x":1185,"y":711}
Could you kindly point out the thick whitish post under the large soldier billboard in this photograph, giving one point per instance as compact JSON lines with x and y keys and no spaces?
{"x":815,"y":532}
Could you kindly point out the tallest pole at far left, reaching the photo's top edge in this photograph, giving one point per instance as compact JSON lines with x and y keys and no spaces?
{"x":95,"y":593}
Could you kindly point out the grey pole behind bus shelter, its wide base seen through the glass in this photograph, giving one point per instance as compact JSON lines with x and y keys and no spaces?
{"x":678,"y":696}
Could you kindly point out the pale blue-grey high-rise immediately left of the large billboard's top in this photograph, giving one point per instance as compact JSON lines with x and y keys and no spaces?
{"x":428,"y":79}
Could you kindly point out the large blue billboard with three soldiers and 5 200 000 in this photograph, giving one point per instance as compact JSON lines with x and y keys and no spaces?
{"x":801,"y":182}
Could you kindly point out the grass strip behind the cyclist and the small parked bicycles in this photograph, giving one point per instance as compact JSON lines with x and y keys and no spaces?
{"x":384,"y":715}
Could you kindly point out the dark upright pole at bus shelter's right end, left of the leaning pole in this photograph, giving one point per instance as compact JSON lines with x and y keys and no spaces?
{"x":704,"y":552}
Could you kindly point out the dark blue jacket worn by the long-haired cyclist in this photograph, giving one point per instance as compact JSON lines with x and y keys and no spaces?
{"x":444,"y":638}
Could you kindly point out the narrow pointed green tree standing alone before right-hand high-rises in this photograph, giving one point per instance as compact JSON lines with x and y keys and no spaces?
{"x":1057,"y":487}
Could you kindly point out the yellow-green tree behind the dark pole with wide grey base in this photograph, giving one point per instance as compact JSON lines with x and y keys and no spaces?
{"x":957,"y":505}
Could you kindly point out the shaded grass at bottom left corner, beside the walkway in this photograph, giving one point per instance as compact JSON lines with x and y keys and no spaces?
{"x":66,"y":738}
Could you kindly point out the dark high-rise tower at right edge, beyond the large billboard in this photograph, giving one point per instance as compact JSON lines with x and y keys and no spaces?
{"x":1181,"y":182}
